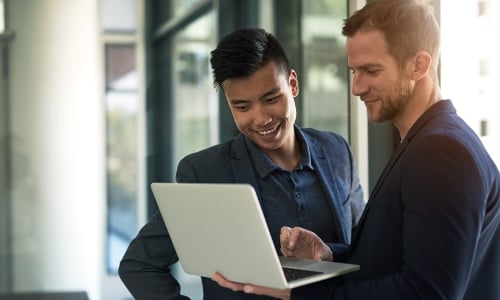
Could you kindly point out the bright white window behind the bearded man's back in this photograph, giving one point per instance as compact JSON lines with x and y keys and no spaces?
{"x":468,"y":31}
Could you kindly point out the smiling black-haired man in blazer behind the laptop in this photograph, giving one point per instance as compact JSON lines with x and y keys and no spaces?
{"x":303,"y":177}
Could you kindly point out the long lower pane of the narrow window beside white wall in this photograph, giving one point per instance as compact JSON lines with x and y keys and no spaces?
{"x":122,"y":141}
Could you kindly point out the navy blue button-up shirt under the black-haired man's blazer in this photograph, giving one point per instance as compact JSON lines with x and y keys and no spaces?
{"x":293,"y":198}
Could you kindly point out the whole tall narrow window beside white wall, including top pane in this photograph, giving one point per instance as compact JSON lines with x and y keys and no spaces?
{"x":122,"y":102}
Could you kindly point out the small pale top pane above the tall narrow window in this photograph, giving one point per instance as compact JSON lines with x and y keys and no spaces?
{"x":118,"y":15}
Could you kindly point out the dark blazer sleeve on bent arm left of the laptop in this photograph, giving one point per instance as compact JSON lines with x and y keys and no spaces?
{"x":145,"y":267}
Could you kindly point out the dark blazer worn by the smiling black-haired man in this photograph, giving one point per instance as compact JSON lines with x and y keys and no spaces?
{"x":145,"y":267}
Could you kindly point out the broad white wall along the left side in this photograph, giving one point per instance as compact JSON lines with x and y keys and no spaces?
{"x":58,"y":160}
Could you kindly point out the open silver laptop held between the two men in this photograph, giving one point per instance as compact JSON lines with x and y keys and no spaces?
{"x":221,"y":228}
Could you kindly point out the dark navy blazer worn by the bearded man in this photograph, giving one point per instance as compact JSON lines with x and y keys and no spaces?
{"x":430,"y":229}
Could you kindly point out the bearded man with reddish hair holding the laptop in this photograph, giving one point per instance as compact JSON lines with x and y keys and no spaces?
{"x":431,"y":228}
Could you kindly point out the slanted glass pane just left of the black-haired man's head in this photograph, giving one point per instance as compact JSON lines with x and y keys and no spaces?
{"x":194,"y":97}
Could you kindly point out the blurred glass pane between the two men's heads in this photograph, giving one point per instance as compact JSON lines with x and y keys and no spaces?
{"x":325,"y":80}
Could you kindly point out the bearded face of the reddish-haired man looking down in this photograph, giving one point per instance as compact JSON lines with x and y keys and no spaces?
{"x":377,"y":78}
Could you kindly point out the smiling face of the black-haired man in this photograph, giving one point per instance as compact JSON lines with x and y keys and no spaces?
{"x":263,"y":106}
